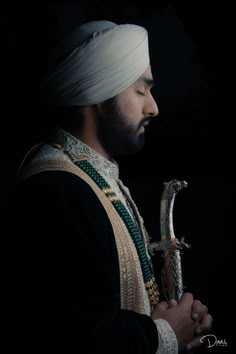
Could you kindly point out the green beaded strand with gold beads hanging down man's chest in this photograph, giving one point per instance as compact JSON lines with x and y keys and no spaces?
{"x":133,"y":230}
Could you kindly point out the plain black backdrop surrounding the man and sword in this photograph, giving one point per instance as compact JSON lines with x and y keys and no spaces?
{"x":191,"y":51}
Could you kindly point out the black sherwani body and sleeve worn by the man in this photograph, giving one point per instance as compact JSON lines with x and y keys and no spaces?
{"x":63,"y":285}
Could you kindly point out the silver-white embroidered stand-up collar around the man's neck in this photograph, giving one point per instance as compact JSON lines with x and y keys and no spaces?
{"x":81,"y":151}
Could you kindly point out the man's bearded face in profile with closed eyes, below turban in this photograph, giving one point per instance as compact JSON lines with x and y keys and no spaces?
{"x":121,"y":121}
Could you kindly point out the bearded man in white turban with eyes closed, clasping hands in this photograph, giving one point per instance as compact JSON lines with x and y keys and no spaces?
{"x":84,"y":276}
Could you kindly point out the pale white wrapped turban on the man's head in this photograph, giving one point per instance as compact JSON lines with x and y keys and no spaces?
{"x":107,"y":59}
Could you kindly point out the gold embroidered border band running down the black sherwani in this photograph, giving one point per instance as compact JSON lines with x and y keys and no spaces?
{"x":130,"y":270}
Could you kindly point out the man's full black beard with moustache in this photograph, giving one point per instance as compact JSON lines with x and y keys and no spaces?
{"x":116,"y":133}
